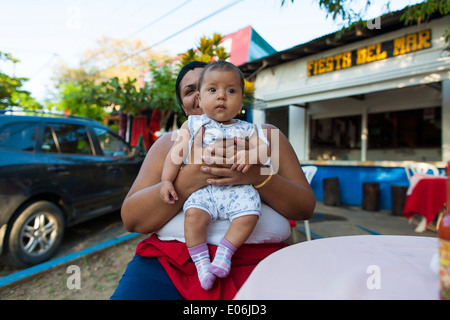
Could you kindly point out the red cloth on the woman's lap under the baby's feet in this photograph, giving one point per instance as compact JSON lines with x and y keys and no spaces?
{"x":175,"y":258}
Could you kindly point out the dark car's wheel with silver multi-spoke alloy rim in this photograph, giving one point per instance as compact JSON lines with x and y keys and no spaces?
{"x":35,"y":234}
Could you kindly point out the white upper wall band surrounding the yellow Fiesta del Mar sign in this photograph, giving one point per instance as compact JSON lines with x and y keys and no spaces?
{"x":289,"y":84}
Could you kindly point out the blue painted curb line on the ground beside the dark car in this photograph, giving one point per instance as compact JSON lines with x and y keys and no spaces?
{"x":61,"y":260}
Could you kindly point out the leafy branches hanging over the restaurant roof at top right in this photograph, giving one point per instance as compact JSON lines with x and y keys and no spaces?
{"x":351,"y":17}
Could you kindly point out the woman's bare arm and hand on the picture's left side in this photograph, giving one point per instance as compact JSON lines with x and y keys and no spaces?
{"x":143,"y":210}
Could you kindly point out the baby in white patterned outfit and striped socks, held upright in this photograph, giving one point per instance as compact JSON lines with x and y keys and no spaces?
{"x":221,"y":95}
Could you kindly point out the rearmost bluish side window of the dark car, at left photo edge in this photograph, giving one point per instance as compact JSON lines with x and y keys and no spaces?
{"x":19,"y":136}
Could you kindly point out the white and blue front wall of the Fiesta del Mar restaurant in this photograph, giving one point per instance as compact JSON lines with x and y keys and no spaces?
{"x":403,"y":82}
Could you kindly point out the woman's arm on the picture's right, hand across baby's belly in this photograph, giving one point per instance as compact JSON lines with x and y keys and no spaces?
{"x":288,"y":191}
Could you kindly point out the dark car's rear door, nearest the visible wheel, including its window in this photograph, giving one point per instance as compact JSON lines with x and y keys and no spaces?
{"x":73,"y":169}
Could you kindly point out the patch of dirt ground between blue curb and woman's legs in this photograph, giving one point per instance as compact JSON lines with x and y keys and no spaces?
{"x":100,"y":273}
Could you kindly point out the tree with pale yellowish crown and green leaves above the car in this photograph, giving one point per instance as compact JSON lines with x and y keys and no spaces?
{"x":106,"y":77}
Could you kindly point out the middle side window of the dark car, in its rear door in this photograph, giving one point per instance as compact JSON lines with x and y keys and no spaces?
{"x":66,"y":138}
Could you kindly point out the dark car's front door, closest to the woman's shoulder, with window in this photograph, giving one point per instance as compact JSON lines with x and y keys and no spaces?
{"x":119,"y":165}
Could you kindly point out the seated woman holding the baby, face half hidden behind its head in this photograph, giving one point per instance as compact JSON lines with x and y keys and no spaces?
{"x":161,"y":268}
